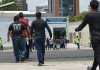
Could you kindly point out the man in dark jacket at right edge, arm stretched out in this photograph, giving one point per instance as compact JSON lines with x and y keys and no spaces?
{"x":93,"y":20}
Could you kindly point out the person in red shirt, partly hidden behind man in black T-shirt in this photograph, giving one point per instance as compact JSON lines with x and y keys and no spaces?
{"x":26,"y":33}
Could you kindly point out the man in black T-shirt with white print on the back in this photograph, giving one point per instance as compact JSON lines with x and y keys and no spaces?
{"x":14,"y":31}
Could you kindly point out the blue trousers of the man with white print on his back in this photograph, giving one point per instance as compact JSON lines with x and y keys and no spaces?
{"x":19,"y":45}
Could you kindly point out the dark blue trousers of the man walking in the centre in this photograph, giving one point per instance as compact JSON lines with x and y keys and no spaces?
{"x":40,"y":46}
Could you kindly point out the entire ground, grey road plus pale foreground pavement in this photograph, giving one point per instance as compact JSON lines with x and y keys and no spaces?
{"x":66,"y":59}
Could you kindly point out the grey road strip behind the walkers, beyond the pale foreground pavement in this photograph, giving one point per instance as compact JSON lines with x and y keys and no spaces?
{"x":70,"y":52}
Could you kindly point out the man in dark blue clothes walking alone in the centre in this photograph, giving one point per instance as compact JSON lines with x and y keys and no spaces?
{"x":38,"y":27}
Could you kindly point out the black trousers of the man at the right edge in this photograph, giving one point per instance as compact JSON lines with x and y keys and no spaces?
{"x":96,"y":49}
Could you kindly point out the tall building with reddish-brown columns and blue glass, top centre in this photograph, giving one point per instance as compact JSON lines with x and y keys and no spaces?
{"x":56,"y":7}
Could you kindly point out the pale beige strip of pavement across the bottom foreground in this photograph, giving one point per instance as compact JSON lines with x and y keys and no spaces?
{"x":49,"y":65}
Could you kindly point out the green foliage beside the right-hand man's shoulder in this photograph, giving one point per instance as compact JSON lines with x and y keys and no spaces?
{"x":77,"y":18}
